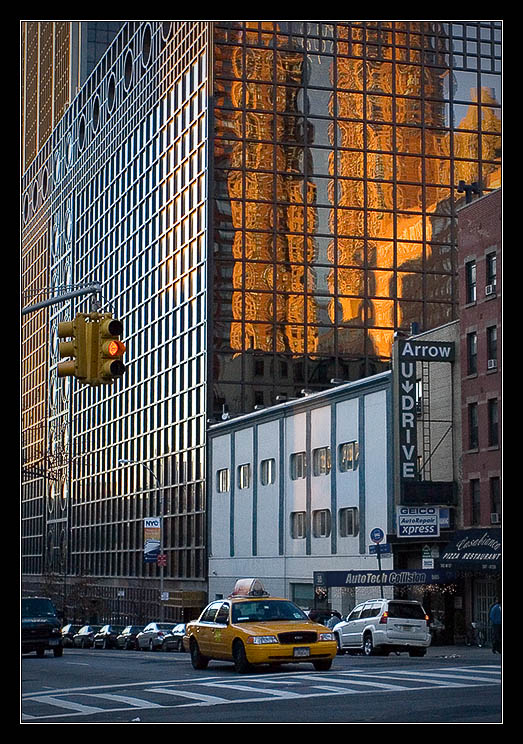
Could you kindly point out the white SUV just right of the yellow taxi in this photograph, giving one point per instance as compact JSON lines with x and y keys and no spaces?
{"x":384,"y":625}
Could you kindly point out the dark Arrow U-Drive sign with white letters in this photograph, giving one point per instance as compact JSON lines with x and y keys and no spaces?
{"x":409,"y":353}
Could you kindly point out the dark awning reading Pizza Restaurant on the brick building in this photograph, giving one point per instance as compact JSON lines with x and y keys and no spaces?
{"x":474,"y":549}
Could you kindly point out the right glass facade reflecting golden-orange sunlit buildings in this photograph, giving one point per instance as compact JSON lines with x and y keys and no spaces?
{"x":338,"y":151}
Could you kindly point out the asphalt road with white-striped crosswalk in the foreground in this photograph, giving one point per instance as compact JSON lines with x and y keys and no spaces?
{"x":449,"y":685}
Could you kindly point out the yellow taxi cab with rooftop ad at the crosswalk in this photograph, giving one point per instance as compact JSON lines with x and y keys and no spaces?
{"x":250,"y":627}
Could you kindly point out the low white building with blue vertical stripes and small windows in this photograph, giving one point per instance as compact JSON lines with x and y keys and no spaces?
{"x":298,"y":487}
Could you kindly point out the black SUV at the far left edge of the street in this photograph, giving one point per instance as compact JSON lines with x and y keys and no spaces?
{"x":41,"y":628}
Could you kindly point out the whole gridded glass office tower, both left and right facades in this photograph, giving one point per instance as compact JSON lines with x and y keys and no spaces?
{"x":264,"y":205}
